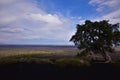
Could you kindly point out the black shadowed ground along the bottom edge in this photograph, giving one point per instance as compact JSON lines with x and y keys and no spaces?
{"x":25,"y":71}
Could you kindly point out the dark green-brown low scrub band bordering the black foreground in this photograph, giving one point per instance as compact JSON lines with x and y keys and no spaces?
{"x":31,"y":58}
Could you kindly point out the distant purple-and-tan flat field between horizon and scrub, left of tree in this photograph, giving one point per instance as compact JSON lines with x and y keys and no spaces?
{"x":46,"y":50}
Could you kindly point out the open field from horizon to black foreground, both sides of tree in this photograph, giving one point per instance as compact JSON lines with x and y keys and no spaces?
{"x":20,"y":53}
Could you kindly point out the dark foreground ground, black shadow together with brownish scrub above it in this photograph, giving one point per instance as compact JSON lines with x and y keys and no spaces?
{"x":31,"y":68}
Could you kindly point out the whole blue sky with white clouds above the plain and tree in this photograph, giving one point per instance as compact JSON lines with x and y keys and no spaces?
{"x":51,"y":22}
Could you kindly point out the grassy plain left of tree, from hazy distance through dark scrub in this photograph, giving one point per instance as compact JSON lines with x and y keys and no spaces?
{"x":44,"y":55}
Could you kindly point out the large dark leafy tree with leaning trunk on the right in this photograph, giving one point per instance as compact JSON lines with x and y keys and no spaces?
{"x":97,"y":37}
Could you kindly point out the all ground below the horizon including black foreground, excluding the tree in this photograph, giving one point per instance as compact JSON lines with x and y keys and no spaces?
{"x":53,"y":63}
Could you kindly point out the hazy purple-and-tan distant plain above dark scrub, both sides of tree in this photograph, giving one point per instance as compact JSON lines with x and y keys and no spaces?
{"x":44,"y":50}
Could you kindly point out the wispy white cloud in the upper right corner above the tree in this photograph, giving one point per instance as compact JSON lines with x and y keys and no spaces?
{"x":110,"y":10}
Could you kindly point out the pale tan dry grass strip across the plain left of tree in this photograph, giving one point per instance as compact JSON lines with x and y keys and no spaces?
{"x":21,"y":51}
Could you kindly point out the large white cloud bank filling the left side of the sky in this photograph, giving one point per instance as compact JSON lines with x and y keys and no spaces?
{"x":22,"y":19}
